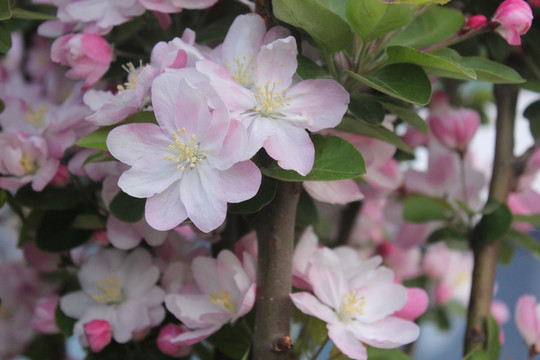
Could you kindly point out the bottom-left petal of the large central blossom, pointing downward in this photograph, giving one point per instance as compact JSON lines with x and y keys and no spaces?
{"x":165,"y":211}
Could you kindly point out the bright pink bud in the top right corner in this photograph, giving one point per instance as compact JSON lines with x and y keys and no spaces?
{"x":514,"y":18}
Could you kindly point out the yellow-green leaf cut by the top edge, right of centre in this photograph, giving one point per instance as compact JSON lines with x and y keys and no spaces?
{"x":371,"y":19}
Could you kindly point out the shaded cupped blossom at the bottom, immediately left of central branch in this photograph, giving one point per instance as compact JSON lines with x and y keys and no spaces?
{"x":226,"y":292}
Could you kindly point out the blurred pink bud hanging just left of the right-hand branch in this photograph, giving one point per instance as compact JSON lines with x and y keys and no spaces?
{"x":454,"y":128}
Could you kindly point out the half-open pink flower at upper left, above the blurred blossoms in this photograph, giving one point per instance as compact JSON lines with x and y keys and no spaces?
{"x":88,"y":55}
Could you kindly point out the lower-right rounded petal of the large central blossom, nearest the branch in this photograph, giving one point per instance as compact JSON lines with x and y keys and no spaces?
{"x":241,"y":181}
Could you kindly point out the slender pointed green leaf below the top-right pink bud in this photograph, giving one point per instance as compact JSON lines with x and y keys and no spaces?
{"x":486,"y":70}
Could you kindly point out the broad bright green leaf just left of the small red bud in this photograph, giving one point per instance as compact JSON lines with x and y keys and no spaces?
{"x":431,"y":27}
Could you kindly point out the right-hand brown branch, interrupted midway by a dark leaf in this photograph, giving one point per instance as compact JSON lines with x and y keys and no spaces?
{"x":486,"y":255}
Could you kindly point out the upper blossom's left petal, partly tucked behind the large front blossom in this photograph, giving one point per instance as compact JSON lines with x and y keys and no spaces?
{"x":235,"y":97}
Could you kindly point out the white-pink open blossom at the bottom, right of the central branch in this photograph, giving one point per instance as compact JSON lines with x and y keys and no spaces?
{"x":358,"y":306}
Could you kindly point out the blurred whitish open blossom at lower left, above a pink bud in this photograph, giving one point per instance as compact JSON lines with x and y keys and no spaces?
{"x":117,"y":287}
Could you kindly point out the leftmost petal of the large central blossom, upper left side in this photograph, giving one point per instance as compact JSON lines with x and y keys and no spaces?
{"x":128,"y":143}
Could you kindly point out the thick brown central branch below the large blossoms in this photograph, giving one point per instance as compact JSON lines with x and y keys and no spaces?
{"x":275,"y":236}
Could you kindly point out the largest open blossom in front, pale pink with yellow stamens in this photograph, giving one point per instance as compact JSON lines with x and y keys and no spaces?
{"x":190,"y":165}
